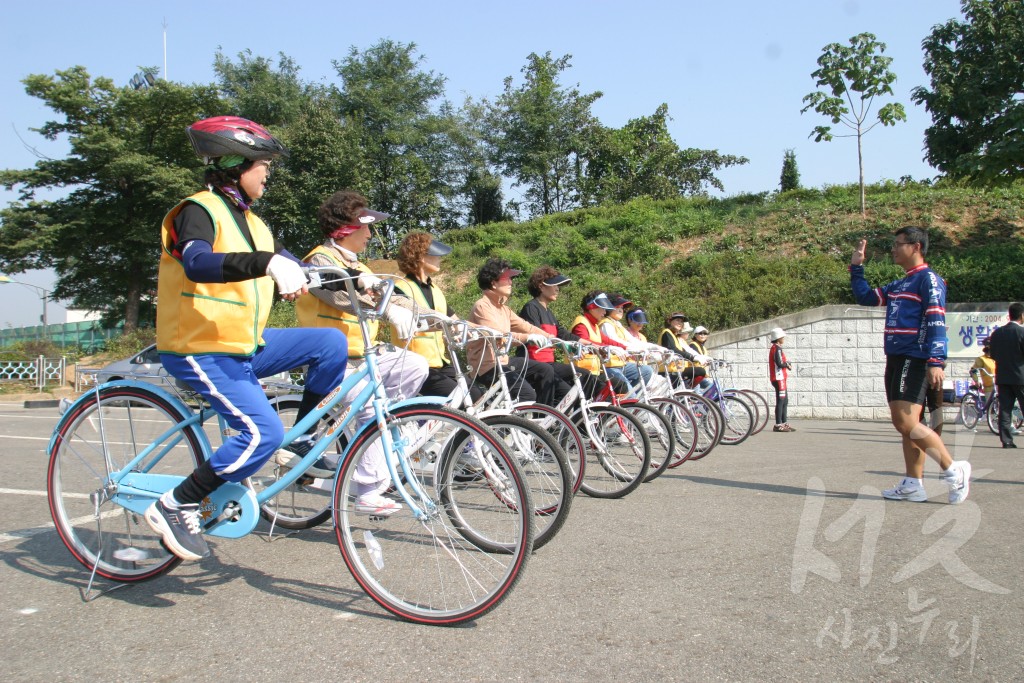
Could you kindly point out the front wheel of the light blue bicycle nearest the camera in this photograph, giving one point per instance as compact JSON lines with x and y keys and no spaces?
{"x":458,"y":552}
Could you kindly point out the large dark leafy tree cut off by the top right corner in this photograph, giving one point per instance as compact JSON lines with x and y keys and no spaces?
{"x":977,"y":81}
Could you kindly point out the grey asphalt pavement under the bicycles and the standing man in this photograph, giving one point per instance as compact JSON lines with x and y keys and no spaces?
{"x":776,"y":560}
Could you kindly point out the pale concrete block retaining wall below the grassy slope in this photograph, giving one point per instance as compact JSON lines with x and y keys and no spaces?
{"x":837,"y":357}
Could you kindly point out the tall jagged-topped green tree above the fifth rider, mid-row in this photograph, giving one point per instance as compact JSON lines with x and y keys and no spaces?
{"x":539,"y":134}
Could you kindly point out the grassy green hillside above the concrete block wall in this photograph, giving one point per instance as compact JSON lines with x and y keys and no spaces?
{"x":732,"y":262}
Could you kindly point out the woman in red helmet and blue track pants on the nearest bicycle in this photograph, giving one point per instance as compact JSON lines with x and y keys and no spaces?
{"x":219,"y":268}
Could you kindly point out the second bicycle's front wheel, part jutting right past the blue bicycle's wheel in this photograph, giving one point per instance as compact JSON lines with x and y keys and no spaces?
{"x":546,"y":473}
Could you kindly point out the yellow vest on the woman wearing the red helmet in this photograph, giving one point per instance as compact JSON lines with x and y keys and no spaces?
{"x":226,"y":319}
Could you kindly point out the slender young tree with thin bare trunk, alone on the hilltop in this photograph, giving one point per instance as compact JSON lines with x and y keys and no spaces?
{"x":854,"y":76}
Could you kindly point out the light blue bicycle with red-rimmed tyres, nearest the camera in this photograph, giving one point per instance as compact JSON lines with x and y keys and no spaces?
{"x":453,"y":552}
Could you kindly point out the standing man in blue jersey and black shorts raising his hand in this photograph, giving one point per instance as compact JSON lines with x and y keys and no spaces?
{"x":916,"y":355}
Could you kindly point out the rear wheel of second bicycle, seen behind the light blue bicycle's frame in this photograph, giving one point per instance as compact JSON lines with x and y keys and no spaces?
{"x":308,"y":502}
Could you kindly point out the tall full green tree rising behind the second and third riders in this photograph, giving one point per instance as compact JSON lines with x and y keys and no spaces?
{"x":407,"y":138}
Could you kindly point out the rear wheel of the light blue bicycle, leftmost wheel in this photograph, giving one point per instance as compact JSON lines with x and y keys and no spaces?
{"x":104,"y":432}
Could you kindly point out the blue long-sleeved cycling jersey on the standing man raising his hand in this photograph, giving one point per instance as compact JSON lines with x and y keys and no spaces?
{"x":916,"y":312}
